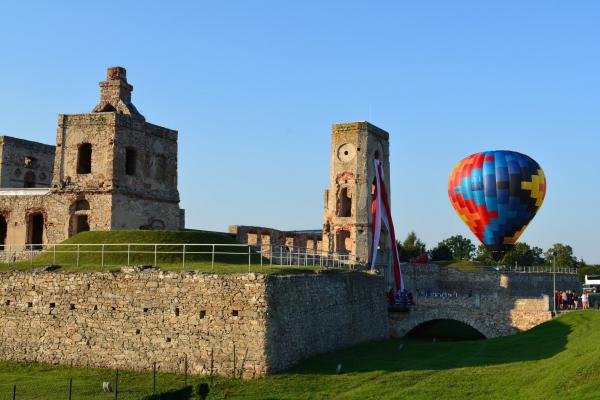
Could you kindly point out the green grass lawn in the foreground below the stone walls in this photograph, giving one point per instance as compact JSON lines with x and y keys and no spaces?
{"x":556,"y":360}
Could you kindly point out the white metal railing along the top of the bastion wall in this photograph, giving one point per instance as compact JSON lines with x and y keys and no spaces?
{"x":173,"y":254}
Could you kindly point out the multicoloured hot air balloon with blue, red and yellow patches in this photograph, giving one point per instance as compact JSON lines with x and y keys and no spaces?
{"x":497,"y":193}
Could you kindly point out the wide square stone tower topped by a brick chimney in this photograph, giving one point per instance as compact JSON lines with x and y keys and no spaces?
{"x":116,"y":163}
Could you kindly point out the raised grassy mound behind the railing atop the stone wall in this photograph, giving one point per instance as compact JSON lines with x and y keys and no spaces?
{"x":230,"y":257}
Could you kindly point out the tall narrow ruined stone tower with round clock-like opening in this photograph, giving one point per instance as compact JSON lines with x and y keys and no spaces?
{"x":347,"y":213}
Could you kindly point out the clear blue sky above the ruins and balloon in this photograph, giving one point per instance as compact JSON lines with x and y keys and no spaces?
{"x":253,"y":88}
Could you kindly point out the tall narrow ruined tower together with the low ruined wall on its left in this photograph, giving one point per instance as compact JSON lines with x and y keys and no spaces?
{"x":347,"y":225}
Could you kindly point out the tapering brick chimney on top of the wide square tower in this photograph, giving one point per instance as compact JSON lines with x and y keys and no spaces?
{"x":115,"y":93}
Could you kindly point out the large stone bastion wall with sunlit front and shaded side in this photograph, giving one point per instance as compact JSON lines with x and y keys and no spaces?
{"x":243,"y":324}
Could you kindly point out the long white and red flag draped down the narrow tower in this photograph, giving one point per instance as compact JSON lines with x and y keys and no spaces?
{"x":381,"y":212}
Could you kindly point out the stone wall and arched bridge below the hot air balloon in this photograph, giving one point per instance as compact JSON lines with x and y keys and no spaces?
{"x":496,"y":303}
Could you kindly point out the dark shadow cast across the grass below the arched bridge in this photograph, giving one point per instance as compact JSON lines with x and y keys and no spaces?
{"x":541,"y":342}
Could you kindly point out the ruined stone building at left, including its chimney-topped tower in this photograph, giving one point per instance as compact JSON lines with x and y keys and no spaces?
{"x":109,"y":170}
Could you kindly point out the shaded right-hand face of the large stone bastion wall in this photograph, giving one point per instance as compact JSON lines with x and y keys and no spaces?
{"x":313,"y":314}
